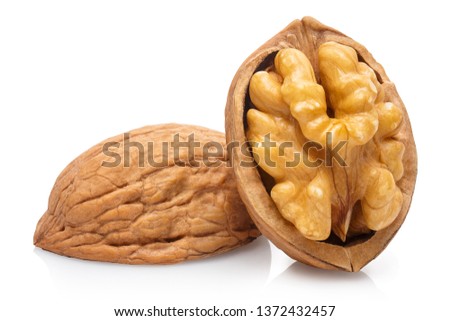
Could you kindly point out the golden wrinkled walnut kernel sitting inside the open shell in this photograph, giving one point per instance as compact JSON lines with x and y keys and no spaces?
{"x":317,"y":197}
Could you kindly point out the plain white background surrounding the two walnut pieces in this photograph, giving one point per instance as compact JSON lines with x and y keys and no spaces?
{"x":73,"y":73}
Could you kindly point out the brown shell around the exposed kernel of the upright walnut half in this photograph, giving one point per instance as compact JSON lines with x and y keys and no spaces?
{"x":307,"y":35}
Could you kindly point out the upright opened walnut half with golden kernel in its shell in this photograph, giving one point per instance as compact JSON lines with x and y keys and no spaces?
{"x":333,"y":143}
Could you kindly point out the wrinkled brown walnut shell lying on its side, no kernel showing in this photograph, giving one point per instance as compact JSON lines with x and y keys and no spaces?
{"x":146,"y":214}
